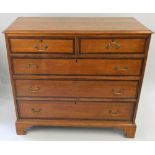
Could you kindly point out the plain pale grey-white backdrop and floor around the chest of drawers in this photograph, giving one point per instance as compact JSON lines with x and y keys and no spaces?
{"x":146,"y":111}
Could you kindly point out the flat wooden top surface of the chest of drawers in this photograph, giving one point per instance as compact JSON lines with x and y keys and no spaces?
{"x":77,"y":25}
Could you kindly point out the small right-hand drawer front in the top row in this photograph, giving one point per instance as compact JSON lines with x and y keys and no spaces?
{"x":112,"y":45}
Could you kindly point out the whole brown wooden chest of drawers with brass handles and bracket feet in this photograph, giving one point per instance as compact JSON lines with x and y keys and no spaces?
{"x":84,"y":72}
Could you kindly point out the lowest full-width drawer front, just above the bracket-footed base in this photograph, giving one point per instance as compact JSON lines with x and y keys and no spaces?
{"x":75,"y":110}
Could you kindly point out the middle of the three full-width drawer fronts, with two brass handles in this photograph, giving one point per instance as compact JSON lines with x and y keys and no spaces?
{"x":66,"y":88}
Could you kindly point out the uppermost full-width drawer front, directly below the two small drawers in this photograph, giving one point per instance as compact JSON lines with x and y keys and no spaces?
{"x":77,"y":67}
